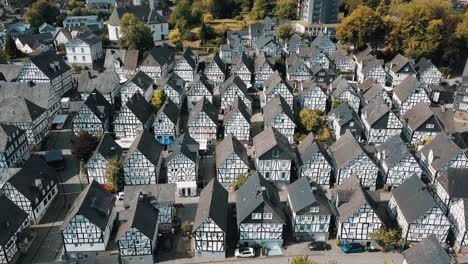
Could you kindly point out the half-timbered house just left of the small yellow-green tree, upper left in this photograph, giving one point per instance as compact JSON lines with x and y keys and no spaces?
{"x":140,"y":82}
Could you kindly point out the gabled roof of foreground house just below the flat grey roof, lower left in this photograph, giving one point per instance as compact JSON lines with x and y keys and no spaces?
{"x":140,"y":215}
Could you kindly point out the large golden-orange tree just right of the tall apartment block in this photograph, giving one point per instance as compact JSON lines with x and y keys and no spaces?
{"x":363,"y":26}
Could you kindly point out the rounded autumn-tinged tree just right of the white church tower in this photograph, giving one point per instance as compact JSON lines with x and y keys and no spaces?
{"x":135,"y":34}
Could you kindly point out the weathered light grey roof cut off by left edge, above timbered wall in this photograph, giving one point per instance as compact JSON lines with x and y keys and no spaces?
{"x":19,"y":110}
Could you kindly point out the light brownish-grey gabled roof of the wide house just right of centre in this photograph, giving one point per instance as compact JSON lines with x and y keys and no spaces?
{"x":269,"y":138}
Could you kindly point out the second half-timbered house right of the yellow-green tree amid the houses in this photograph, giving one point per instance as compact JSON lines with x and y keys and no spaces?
{"x":380,"y":122}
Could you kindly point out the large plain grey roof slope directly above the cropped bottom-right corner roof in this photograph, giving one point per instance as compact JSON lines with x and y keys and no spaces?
{"x":413,"y":199}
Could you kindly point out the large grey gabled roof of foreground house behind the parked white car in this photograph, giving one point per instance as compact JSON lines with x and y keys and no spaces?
{"x":255,"y":192}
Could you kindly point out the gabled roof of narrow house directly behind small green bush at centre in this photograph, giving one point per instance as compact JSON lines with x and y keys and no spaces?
{"x":230,"y":145}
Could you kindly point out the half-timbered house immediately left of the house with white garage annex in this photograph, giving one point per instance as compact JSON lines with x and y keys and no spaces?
{"x":142,"y":163}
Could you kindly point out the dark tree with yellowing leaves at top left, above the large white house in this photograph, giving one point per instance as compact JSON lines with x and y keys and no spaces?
{"x":40,"y":12}
